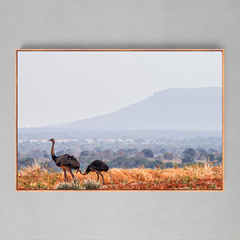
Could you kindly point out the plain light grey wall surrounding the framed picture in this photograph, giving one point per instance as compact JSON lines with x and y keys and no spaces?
{"x":119,"y":24}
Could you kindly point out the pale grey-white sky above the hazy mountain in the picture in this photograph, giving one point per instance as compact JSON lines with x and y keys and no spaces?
{"x":55,"y":87}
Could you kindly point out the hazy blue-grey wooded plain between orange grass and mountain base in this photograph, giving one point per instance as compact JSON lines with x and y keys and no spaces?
{"x":126,"y":152}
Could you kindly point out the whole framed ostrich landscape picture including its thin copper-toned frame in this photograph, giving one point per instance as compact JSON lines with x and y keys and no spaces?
{"x":120,"y":120}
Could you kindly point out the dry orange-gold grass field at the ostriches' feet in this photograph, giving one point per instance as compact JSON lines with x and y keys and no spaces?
{"x":194,"y":177}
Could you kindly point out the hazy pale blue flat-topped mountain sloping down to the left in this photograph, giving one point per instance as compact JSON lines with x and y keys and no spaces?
{"x":176,"y":108}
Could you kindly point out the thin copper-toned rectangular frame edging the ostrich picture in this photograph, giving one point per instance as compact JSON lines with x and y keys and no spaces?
{"x":126,"y":50}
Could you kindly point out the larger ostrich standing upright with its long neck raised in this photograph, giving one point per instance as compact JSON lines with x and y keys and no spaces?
{"x":67,"y":161}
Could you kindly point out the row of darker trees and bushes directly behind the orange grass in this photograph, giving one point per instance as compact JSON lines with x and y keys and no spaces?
{"x":126,"y":158}
